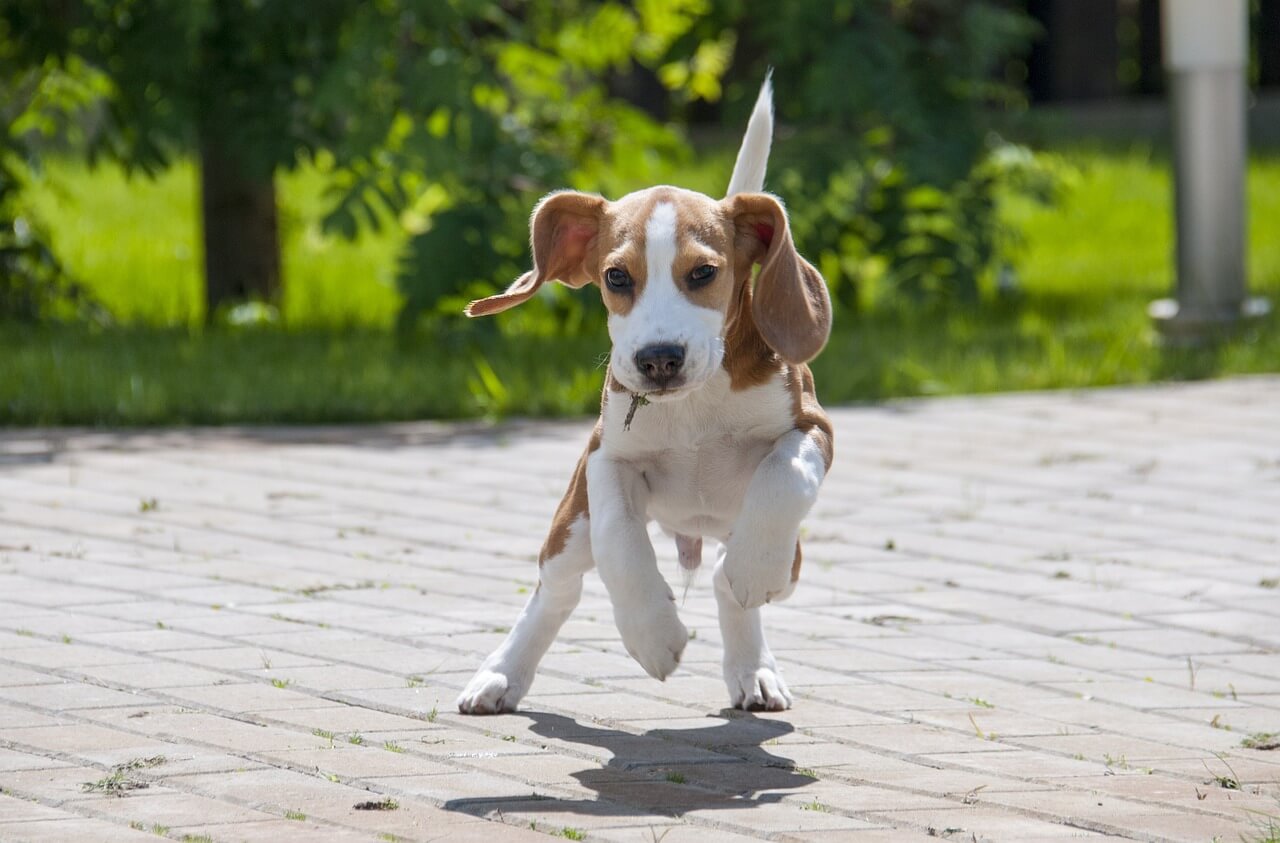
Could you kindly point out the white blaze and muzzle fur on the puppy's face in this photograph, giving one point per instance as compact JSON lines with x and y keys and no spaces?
{"x":662,"y":314}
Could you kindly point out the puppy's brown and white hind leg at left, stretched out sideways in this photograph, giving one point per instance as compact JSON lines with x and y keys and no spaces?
{"x":505,"y":677}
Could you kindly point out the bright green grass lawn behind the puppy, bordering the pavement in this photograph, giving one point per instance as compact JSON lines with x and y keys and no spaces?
{"x":1089,"y":268}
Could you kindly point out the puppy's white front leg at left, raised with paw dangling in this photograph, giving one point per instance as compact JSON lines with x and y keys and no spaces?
{"x":644,"y":608}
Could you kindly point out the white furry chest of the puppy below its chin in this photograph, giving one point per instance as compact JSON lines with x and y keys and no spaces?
{"x":698,"y":455}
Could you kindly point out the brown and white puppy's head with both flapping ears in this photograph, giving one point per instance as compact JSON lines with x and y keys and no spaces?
{"x":675,"y":271}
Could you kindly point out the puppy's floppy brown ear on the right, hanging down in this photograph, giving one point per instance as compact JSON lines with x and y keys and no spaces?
{"x":790,"y":304}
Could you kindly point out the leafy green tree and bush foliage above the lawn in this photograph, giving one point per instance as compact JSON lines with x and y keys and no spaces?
{"x":450,"y":118}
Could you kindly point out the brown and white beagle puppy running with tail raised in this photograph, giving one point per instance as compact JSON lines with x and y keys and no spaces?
{"x":708,"y":423}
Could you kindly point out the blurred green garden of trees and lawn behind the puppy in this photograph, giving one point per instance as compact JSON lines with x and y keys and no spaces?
{"x":222,"y":212}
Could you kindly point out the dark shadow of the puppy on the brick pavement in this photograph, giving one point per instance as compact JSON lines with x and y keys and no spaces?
{"x":724,"y":766}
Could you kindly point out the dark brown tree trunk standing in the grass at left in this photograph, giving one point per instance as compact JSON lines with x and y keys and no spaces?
{"x":243,"y":250}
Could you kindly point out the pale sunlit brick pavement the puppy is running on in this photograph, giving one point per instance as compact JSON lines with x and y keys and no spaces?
{"x":1028,"y":617}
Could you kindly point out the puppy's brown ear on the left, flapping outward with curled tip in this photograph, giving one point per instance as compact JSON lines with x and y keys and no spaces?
{"x":563,"y":233}
